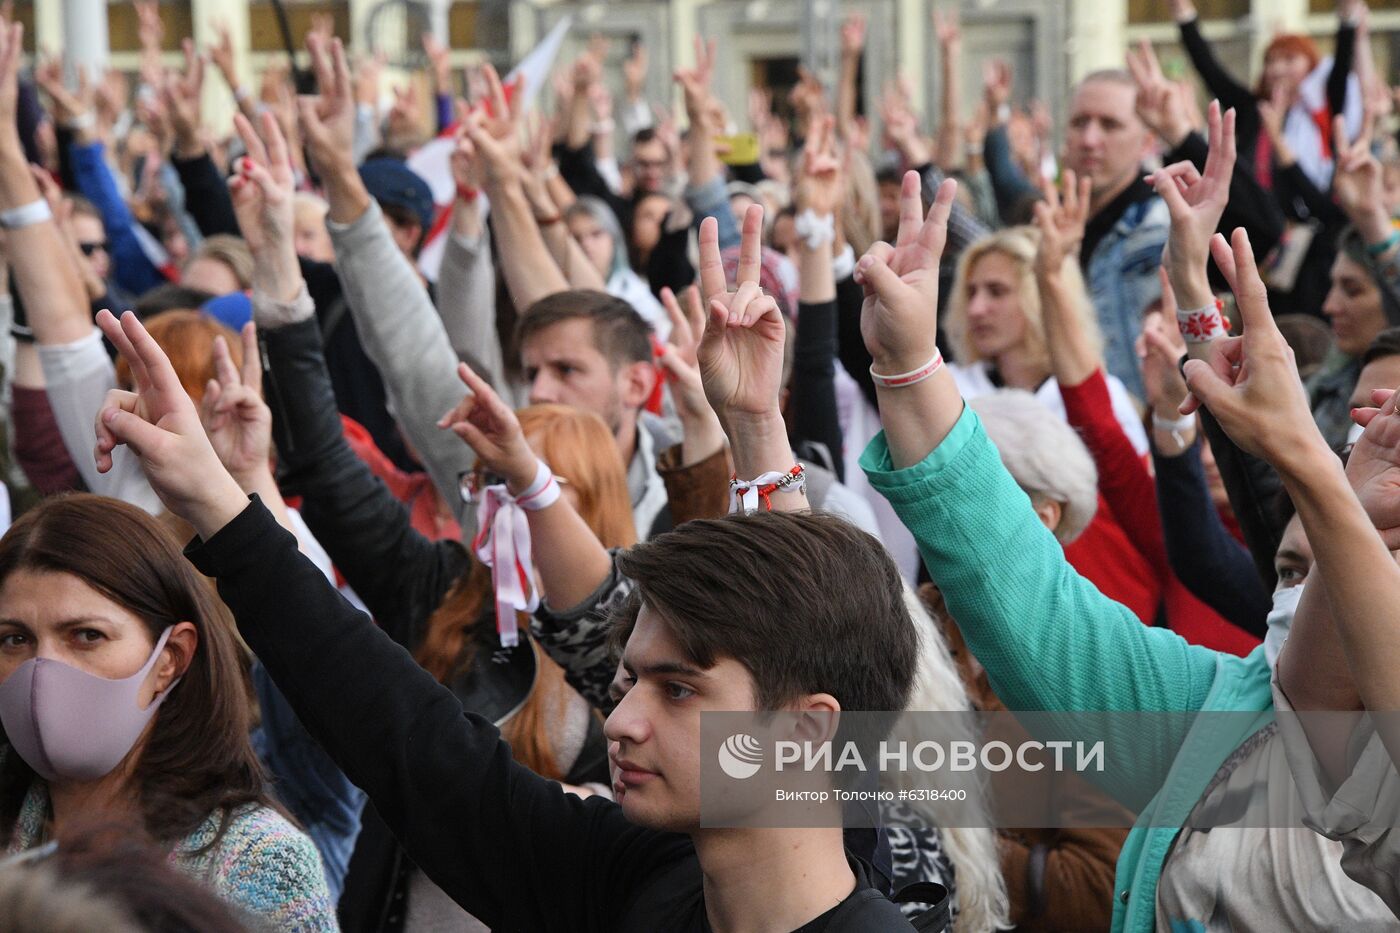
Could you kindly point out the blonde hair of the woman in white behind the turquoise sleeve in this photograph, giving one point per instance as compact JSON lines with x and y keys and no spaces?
{"x":1020,"y":246}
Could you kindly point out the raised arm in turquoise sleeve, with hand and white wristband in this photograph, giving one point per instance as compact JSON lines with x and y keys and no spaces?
{"x":946,"y":481}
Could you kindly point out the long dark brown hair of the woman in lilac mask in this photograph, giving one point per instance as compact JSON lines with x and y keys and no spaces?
{"x":199,"y":759}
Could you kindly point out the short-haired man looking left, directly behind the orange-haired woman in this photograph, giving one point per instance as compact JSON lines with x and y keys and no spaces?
{"x":594,"y":352}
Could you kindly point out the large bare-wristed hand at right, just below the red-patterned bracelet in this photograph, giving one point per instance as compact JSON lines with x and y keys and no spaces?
{"x":1251,"y":383}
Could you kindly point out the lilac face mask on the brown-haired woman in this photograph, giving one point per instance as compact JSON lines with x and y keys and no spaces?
{"x":69,"y":725}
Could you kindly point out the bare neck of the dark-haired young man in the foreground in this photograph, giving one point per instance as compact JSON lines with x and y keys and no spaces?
{"x":772,"y":880}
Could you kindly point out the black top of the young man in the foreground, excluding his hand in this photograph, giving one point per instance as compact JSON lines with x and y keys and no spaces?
{"x":510,"y":847}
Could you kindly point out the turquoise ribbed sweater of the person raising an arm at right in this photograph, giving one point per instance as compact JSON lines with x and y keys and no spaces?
{"x":1052,"y":642}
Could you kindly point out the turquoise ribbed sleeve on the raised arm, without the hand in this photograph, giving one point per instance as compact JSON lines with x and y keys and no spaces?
{"x":1025,"y":611}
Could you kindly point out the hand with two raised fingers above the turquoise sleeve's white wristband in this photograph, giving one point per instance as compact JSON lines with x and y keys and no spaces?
{"x":899,"y":320}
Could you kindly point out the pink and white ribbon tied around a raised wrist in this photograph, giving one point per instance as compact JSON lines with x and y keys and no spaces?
{"x":503,"y":544}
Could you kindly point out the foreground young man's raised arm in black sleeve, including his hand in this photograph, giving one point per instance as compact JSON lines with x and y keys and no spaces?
{"x":444,"y":782}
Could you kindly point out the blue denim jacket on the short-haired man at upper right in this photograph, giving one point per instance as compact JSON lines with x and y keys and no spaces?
{"x":1122,"y":279}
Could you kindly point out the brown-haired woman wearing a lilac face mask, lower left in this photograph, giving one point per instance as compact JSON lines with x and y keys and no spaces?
{"x":122,"y":696}
